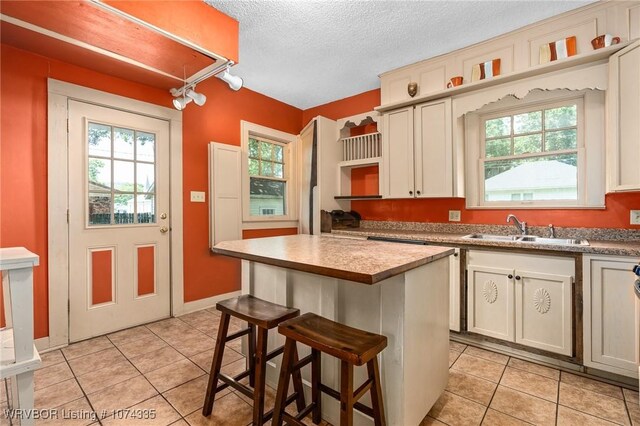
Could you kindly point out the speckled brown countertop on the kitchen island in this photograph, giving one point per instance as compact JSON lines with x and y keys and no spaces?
{"x":362,"y":261}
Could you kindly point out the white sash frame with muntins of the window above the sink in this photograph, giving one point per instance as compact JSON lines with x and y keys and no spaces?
{"x":579,"y":150}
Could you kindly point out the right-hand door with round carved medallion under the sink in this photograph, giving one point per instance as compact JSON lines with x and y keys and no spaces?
{"x":543,"y":311}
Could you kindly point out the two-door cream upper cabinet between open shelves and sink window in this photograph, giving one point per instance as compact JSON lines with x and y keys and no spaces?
{"x":418,"y":151}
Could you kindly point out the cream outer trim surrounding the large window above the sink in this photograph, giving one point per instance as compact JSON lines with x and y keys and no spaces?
{"x":591,"y":148}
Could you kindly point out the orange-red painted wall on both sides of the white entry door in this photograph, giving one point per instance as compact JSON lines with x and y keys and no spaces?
{"x":23,"y":161}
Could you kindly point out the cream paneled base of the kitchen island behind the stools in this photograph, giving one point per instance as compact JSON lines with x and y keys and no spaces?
{"x":411,"y":309}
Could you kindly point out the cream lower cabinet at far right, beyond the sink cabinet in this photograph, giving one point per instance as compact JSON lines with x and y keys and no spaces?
{"x":611,"y":315}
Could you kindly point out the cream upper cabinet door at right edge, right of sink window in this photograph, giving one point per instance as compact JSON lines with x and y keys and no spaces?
{"x":623,"y":131}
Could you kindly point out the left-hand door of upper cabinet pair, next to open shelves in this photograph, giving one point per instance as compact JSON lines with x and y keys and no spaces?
{"x":398,"y":153}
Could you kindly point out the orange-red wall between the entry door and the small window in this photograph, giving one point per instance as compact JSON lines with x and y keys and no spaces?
{"x":218,"y":121}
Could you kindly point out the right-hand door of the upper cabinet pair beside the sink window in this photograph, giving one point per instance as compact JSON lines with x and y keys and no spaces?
{"x":433,"y":149}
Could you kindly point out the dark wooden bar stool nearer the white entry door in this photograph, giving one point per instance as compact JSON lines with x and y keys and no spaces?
{"x":265,"y":316}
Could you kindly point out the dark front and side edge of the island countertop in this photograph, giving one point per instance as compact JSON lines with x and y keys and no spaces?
{"x":331,"y":272}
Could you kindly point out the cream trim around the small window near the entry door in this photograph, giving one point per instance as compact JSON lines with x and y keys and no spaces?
{"x":248,"y":130}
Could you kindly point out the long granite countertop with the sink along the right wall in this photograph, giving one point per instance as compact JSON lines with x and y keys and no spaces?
{"x":610,"y":247}
